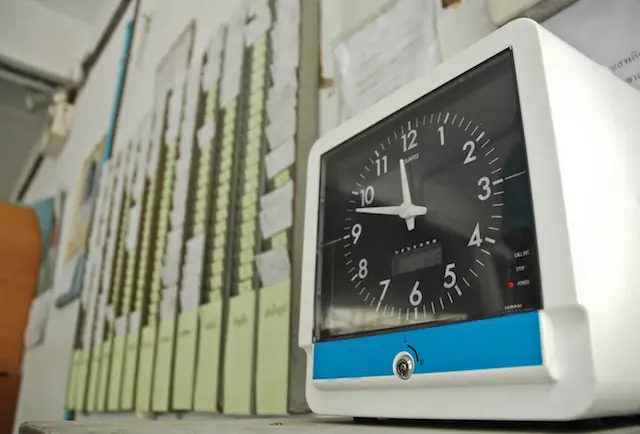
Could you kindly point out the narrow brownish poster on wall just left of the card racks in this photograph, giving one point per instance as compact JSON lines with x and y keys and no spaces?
{"x":83,"y":203}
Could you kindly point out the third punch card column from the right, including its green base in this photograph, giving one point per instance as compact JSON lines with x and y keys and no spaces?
{"x":211,"y":158}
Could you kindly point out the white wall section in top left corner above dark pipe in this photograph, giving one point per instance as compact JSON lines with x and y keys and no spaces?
{"x":42,"y":39}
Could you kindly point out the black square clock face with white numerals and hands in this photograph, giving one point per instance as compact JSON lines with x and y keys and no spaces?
{"x":426,"y":218}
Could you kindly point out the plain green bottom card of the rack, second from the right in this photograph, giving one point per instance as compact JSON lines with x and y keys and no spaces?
{"x":238,"y":358}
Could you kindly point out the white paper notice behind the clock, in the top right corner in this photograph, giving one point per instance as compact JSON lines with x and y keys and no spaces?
{"x":616,"y":24}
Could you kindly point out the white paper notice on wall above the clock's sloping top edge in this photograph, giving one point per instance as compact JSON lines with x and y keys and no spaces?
{"x":394,"y":48}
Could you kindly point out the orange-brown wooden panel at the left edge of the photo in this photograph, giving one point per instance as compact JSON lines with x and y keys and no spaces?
{"x":20,"y":255}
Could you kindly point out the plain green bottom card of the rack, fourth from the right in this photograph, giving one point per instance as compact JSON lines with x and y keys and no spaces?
{"x":184,"y":372}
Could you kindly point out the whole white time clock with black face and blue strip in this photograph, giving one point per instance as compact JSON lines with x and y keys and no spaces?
{"x":468,"y":240}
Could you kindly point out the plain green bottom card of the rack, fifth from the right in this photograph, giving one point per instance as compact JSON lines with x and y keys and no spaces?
{"x":163,"y":365}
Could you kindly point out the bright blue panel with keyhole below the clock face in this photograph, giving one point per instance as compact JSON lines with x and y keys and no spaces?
{"x":503,"y":342}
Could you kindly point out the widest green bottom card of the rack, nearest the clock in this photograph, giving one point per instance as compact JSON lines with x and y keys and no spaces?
{"x":272,"y":360}
